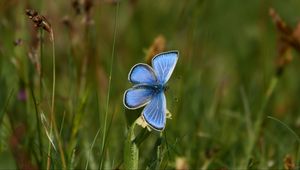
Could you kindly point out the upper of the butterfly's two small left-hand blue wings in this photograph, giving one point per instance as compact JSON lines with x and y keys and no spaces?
{"x":142,"y":74}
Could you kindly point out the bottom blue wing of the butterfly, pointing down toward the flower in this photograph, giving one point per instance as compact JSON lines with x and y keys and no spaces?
{"x":155,"y":112}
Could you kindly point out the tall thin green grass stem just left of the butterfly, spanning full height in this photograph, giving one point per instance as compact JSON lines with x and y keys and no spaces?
{"x":109,"y":85}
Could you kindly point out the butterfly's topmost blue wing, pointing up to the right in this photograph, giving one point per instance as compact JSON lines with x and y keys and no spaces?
{"x":164,"y":64}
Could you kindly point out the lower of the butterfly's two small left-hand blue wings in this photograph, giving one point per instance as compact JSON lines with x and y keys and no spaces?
{"x":138,"y":96}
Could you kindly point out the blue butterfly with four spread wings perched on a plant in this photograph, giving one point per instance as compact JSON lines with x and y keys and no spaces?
{"x":149,"y":84}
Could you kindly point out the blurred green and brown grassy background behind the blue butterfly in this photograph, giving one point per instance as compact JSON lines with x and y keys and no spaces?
{"x":227,"y":60}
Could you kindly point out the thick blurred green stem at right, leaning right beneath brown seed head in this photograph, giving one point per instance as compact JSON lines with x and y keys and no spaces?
{"x":260,"y":118}
